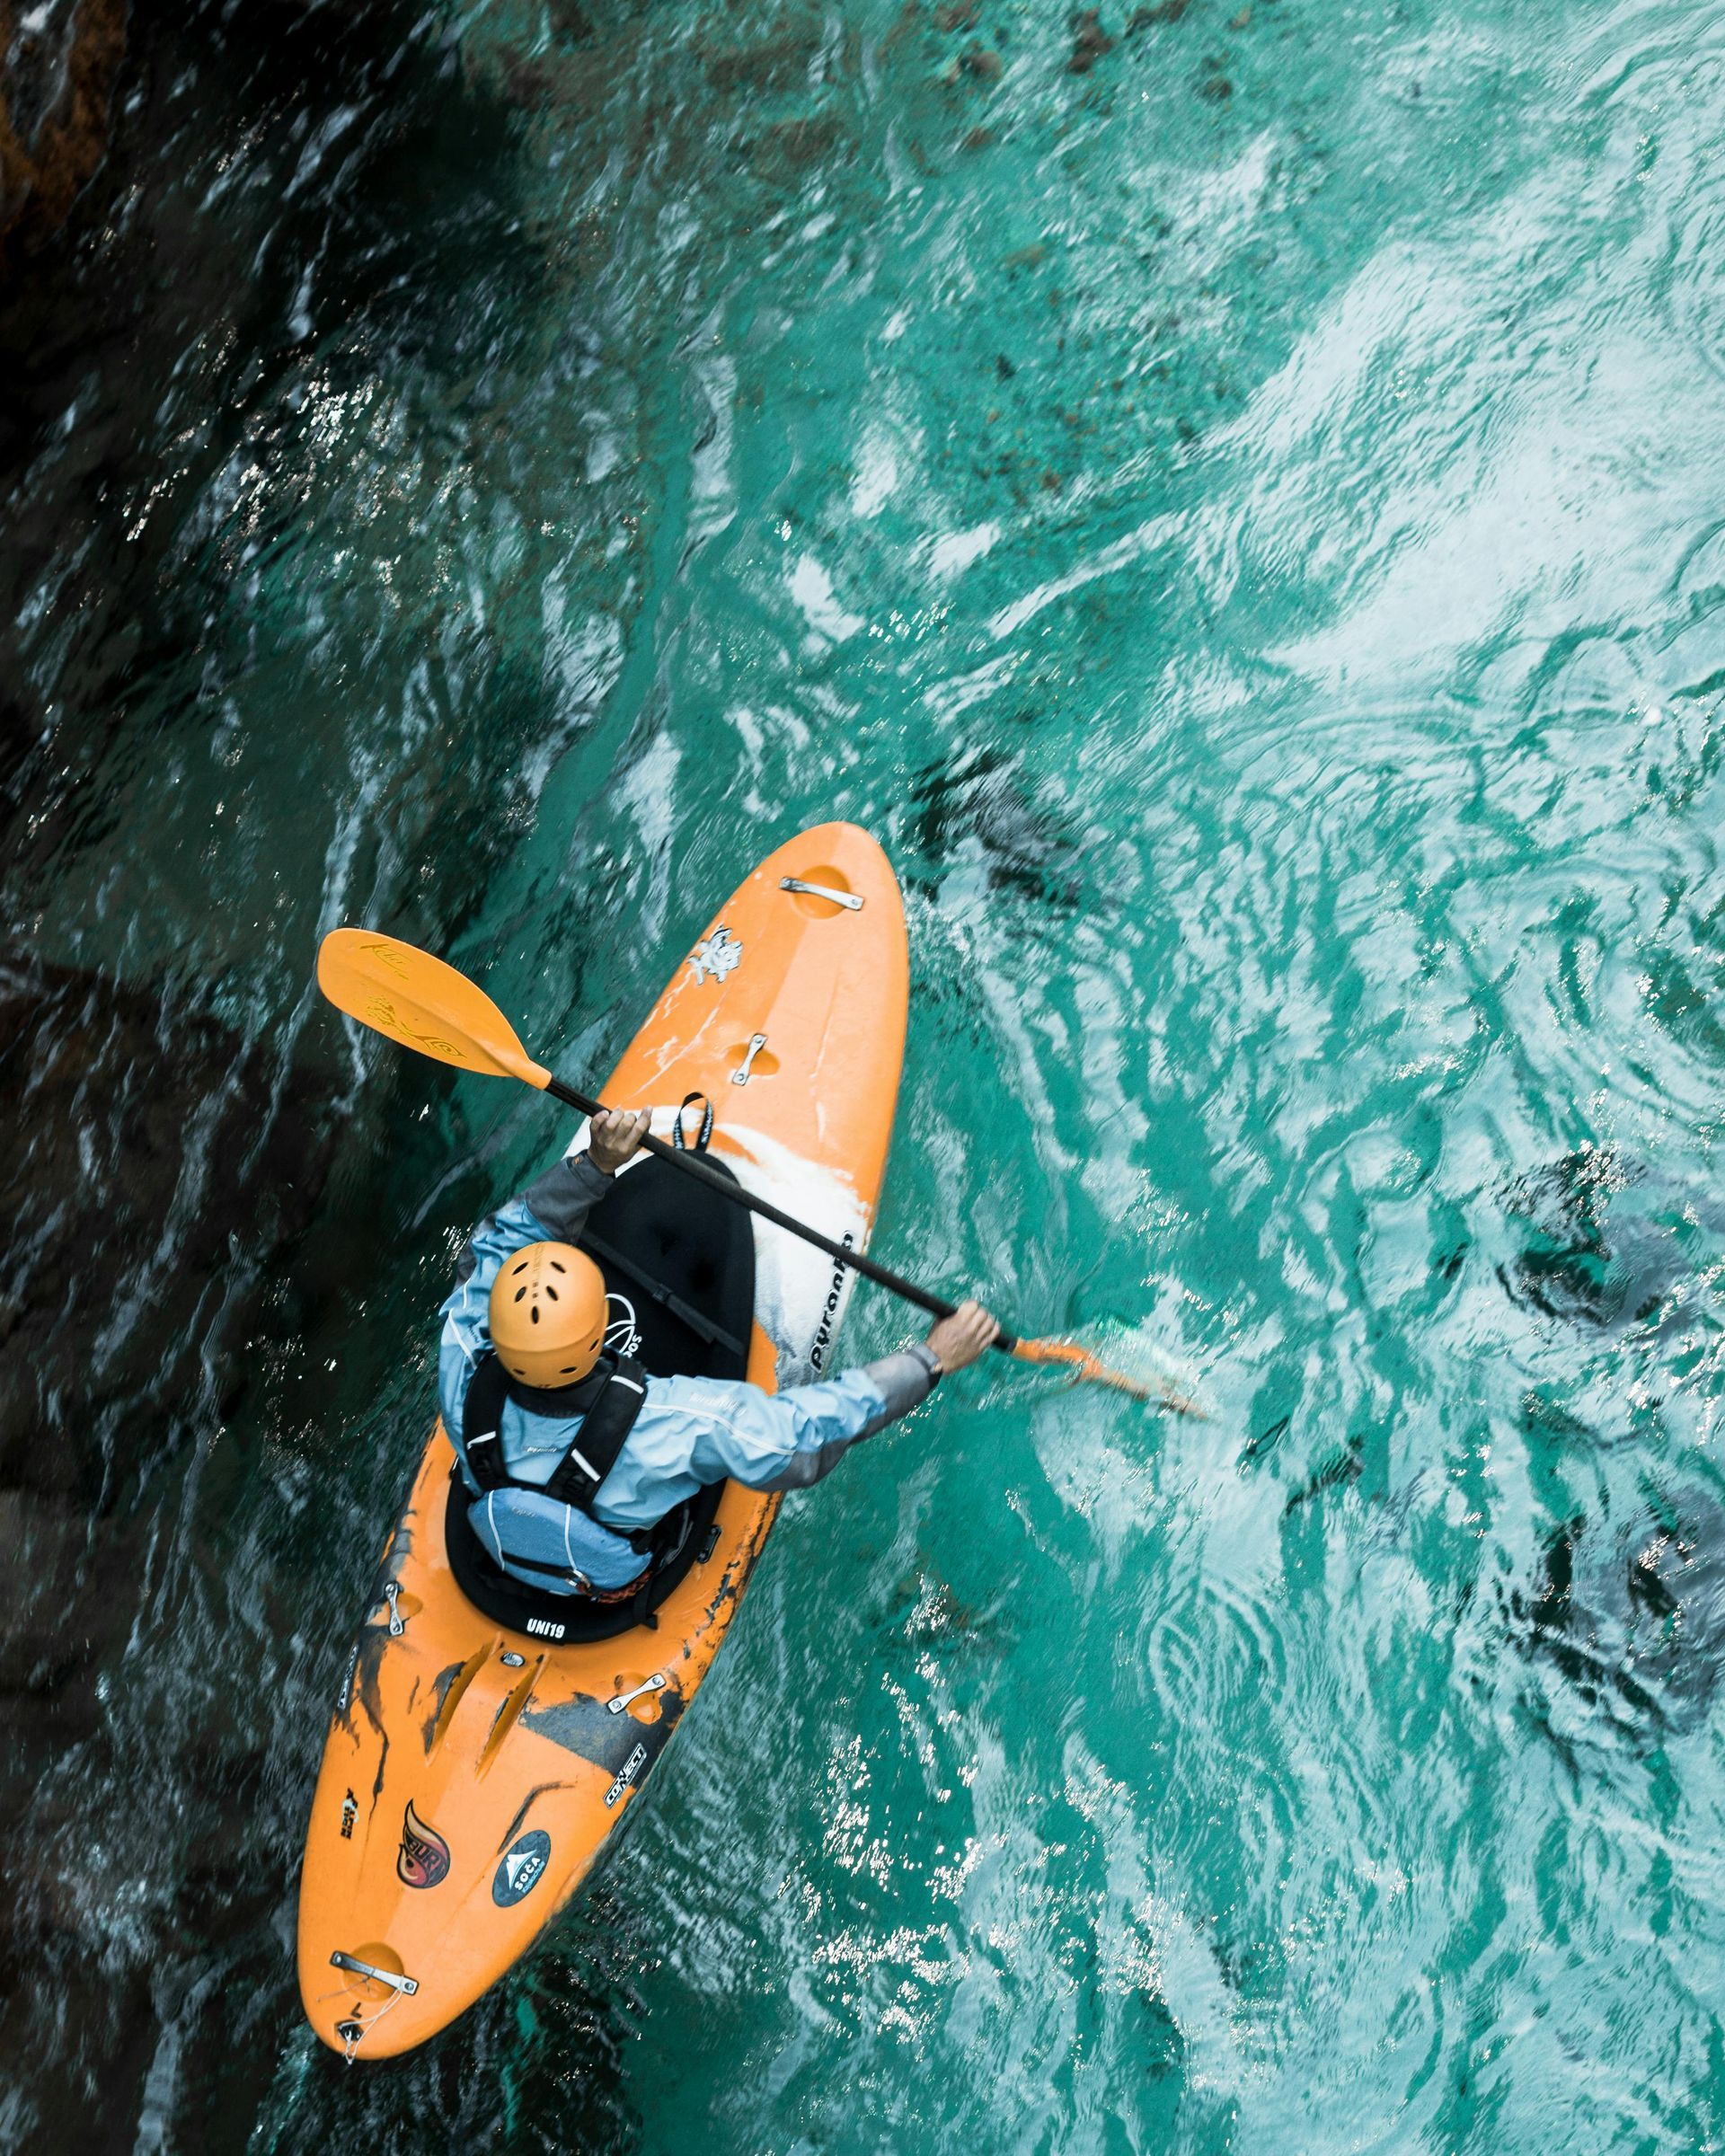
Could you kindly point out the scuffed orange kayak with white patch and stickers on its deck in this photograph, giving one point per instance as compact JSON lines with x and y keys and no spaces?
{"x":475,"y":1771}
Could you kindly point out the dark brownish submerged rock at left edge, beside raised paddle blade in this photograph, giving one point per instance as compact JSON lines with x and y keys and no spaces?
{"x":152,"y":1183}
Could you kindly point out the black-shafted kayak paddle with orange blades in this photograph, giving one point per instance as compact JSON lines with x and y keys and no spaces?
{"x":424,"y":1004}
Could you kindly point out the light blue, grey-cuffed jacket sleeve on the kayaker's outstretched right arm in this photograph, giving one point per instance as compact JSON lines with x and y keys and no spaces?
{"x":786,"y":1441}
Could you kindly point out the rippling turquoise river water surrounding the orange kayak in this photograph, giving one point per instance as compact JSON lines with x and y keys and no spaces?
{"x":1241,"y":521}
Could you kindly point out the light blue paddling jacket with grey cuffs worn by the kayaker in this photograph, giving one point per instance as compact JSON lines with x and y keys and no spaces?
{"x":687,"y":1435}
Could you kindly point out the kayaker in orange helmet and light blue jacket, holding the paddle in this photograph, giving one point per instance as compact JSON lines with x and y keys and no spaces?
{"x":575,"y":1461}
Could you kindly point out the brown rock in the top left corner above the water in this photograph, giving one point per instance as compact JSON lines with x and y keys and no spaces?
{"x":57,"y":77}
